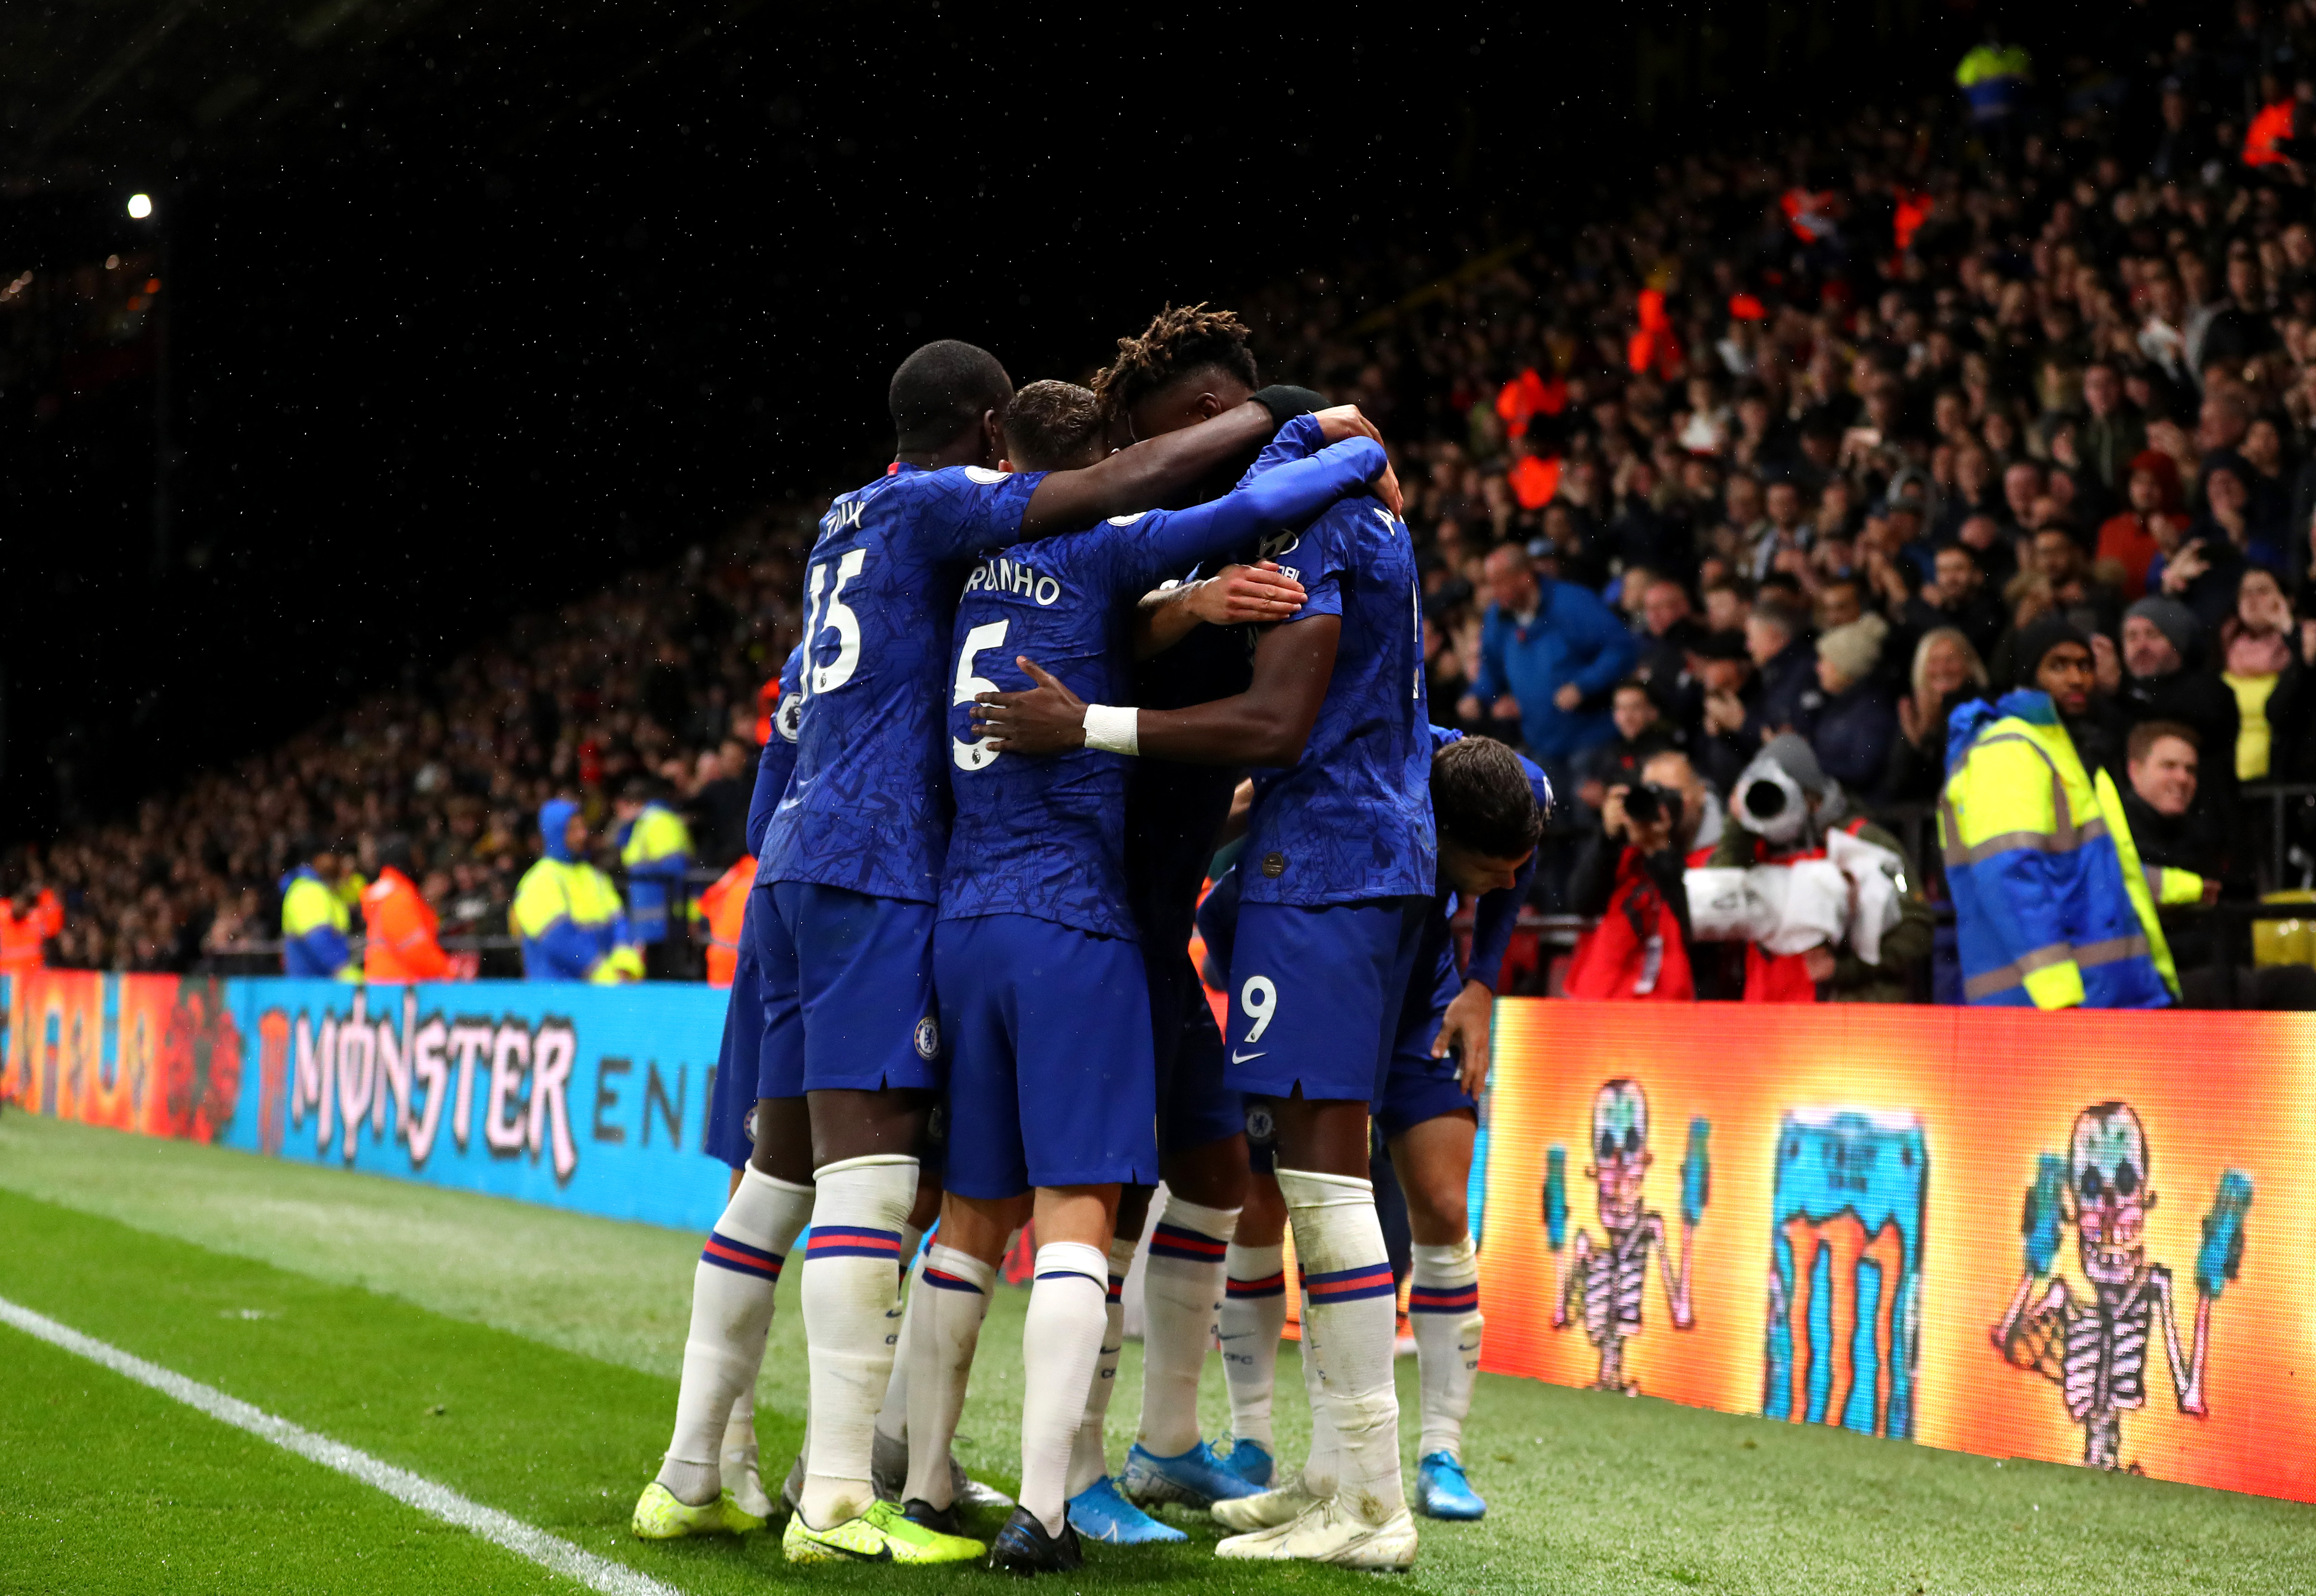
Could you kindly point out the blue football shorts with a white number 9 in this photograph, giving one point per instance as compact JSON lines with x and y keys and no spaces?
{"x":1317,"y":995}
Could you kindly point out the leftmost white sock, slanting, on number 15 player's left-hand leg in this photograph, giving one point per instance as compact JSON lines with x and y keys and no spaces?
{"x":731,"y":1317}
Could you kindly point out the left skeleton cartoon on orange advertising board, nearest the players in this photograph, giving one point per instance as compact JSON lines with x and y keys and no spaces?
{"x":1606,"y":1280}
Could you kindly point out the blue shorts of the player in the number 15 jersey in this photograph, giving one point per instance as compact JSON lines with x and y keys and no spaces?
{"x":849,"y":990}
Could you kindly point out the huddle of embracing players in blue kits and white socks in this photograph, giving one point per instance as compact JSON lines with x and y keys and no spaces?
{"x":1032,"y":715}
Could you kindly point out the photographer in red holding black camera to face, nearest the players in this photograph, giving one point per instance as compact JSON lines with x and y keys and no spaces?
{"x":1629,"y":877}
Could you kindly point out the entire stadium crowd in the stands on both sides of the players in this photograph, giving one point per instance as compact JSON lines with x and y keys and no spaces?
{"x":1789,"y":464}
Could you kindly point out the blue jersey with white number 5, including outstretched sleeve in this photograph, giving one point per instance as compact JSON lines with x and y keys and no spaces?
{"x":1048,"y":837}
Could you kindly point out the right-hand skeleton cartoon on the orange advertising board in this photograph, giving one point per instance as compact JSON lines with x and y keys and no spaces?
{"x":2093,"y":1342}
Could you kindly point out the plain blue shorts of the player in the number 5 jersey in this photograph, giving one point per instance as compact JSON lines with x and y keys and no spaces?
{"x":1050,"y":1057}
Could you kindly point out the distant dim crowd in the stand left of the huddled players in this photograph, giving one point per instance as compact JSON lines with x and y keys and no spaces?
{"x":650,"y":684}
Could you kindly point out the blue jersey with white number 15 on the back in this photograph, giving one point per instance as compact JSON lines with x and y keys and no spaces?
{"x":870,"y":803}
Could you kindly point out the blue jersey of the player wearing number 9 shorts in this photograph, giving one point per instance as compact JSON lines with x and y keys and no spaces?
{"x":1354,"y":817}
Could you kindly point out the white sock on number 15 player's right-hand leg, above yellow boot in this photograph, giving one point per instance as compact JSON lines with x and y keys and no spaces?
{"x":851,"y":1324}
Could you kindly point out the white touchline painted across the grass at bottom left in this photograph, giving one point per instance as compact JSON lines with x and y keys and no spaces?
{"x":432,"y":1500}
